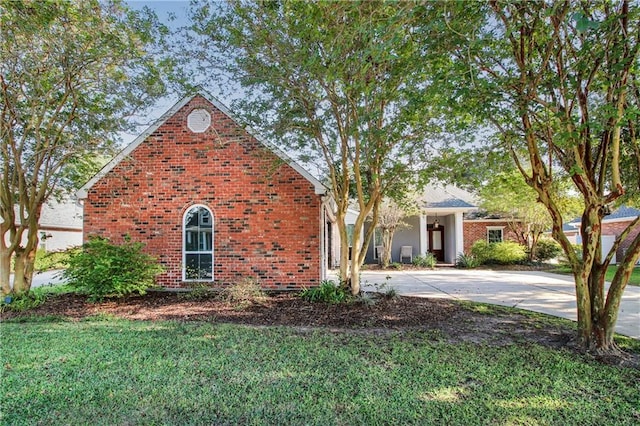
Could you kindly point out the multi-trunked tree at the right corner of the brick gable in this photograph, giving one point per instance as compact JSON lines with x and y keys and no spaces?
{"x":342,"y":82}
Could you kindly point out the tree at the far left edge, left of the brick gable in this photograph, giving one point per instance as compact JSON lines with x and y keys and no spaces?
{"x":71,"y":73}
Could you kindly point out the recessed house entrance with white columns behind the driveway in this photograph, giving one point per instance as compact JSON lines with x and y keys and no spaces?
{"x":448,"y":225}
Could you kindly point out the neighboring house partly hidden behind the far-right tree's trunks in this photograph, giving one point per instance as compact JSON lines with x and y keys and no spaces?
{"x":612,"y":226}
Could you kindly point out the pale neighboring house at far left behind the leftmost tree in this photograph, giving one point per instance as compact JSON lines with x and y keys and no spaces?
{"x":60,"y":225}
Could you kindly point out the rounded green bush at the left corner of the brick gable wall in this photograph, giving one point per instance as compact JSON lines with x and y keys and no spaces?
{"x":103,"y":269}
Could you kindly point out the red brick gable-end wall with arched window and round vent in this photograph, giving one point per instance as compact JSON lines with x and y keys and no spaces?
{"x":212,"y":201}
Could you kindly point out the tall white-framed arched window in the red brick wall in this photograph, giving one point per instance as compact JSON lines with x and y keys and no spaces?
{"x":197,"y":253}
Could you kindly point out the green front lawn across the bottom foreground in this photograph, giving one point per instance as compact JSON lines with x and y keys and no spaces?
{"x":108,"y":371}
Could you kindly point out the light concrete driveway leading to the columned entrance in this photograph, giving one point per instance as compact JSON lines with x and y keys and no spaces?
{"x":548,"y":293}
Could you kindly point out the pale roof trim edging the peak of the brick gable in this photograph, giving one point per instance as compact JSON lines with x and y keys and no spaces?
{"x":82,"y":192}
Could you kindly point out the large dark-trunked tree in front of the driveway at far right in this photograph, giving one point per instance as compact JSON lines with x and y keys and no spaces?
{"x":558,"y":81}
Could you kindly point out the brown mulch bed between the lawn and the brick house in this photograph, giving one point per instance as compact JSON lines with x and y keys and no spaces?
{"x":443,"y":319}
